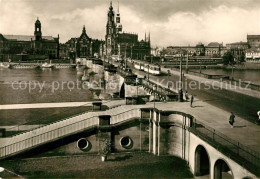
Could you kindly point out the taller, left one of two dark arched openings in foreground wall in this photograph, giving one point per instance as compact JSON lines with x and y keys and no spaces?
{"x":202,"y":161}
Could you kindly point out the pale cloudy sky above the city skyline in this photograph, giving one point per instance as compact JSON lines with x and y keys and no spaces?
{"x":170,"y":22}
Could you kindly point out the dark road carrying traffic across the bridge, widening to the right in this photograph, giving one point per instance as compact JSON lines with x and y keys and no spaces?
{"x":242,"y":105}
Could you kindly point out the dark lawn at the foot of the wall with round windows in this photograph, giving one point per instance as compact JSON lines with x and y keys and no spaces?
{"x":123,"y":165}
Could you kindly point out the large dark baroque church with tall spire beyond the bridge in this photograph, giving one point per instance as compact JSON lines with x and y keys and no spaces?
{"x":118,"y":42}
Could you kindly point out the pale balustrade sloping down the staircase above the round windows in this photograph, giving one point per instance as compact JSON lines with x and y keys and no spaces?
{"x":35,"y":137}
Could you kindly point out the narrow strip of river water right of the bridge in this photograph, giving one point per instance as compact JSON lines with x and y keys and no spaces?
{"x":244,"y":75}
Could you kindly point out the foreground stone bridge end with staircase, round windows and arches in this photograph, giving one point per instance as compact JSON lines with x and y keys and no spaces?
{"x":140,"y":128}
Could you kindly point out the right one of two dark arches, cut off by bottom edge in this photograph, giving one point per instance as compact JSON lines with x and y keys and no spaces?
{"x":222,"y":170}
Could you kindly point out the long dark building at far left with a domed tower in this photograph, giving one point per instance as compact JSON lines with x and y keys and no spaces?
{"x":26,"y":47}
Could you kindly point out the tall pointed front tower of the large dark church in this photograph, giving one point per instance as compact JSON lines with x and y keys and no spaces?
{"x":110,"y":31}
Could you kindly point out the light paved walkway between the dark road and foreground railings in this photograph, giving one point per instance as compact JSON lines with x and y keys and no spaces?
{"x":244,"y":132}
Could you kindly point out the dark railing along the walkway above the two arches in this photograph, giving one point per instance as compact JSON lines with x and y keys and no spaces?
{"x":238,"y":152}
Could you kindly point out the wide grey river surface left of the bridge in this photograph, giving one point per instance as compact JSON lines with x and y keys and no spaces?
{"x":10,"y":95}
